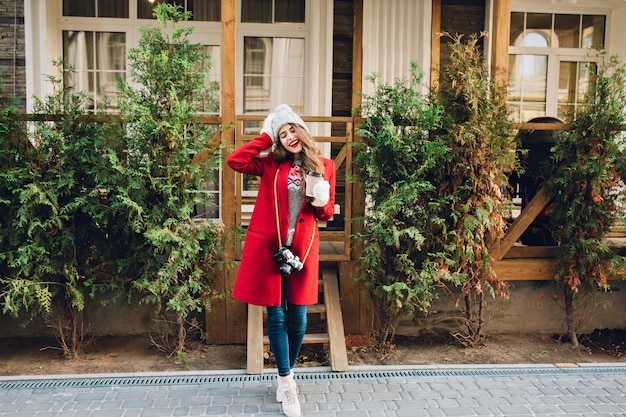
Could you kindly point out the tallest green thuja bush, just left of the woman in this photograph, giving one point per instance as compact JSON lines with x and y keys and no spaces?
{"x":175,"y":254}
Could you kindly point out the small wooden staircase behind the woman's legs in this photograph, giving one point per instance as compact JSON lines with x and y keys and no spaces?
{"x":330,"y":310}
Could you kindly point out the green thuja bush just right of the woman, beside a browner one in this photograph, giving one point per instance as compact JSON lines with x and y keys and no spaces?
{"x":397,"y":162}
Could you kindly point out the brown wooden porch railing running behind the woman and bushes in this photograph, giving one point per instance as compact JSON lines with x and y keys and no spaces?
{"x":335,"y":237}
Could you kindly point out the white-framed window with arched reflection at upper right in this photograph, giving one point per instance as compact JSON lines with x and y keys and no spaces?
{"x":548,"y":62}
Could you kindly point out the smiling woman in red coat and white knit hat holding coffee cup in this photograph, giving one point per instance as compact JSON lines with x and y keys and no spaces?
{"x":280,"y":262}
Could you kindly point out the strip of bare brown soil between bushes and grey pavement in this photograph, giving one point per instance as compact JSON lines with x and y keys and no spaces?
{"x":136,"y":354}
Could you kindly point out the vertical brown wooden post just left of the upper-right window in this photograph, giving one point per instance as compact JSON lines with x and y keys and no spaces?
{"x":501,"y":34}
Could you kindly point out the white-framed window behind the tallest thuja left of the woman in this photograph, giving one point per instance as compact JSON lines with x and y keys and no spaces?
{"x":95,"y":36}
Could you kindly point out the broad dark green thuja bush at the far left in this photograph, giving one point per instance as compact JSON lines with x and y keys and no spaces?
{"x":55,"y":236}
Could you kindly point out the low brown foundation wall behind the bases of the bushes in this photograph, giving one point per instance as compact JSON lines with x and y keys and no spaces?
{"x":533,"y":308}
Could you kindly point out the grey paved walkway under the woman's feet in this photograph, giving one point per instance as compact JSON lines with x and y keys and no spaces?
{"x":581,"y":390}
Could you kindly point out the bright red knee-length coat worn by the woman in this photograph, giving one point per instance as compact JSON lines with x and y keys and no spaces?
{"x":258,"y":280}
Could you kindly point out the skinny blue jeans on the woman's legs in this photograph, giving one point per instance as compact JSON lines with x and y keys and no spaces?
{"x":286,"y":326}
